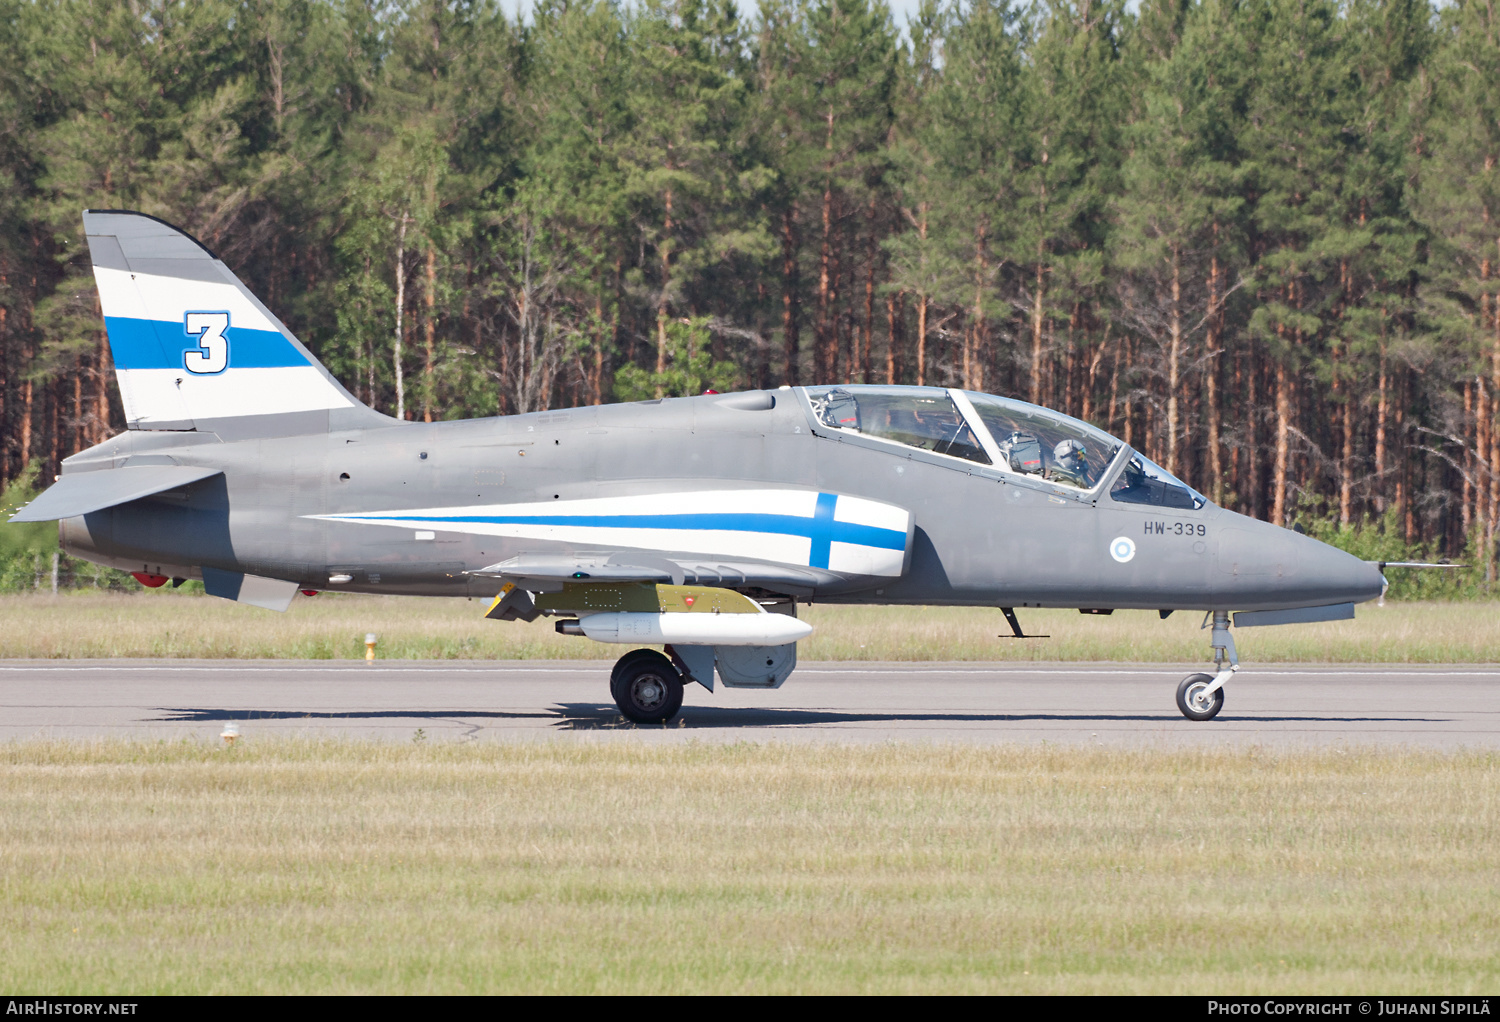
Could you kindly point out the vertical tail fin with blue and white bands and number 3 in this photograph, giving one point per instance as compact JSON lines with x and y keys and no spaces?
{"x":194,"y":349}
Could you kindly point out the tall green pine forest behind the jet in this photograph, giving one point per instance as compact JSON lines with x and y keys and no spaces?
{"x":1256,"y":239}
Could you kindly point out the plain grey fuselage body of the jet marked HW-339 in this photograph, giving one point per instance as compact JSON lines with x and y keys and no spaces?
{"x":982,"y":537}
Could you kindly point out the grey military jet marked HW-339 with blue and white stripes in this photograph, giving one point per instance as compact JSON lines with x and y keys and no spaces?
{"x":694,"y":525}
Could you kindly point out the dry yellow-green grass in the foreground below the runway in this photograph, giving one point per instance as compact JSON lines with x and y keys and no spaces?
{"x":296,"y":867}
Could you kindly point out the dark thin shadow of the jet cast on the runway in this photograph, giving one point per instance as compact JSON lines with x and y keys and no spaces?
{"x":589,"y":717}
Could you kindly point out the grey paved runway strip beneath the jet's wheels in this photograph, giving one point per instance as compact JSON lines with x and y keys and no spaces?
{"x":985,"y":703}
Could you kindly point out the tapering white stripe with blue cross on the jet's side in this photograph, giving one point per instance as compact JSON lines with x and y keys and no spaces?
{"x":847,"y":535}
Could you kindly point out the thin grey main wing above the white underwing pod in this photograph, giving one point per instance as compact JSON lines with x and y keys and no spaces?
{"x":542,"y":573}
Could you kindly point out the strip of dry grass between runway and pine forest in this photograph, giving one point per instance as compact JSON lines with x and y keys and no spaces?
{"x":335,"y":627}
